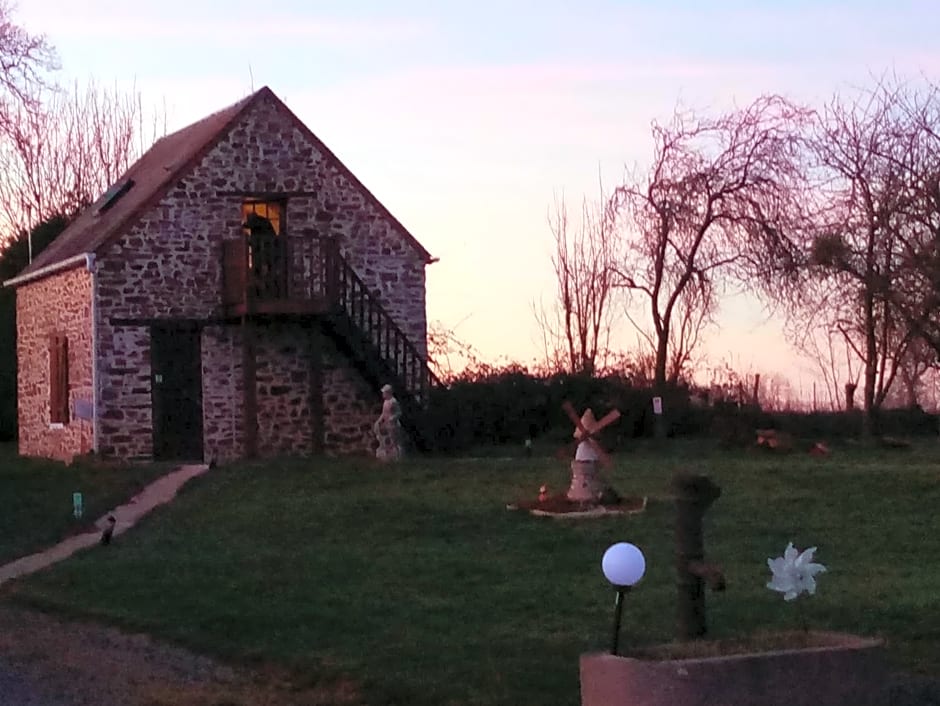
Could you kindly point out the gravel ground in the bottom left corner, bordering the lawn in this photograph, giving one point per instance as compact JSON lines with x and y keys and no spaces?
{"x":48,"y":661}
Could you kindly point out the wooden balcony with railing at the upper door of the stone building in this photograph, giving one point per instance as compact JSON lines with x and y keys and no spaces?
{"x":278,"y":276}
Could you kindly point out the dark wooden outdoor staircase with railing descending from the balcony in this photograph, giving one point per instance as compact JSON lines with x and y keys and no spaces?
{"x":364,"y":331}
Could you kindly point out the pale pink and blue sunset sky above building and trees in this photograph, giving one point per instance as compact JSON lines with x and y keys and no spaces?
{"x":464,"y":119}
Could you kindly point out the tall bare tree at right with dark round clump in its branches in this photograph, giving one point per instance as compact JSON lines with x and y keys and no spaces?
{"x":870,"y":153}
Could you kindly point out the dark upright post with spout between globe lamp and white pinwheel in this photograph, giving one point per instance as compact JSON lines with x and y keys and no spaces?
{"x":694,"y":494}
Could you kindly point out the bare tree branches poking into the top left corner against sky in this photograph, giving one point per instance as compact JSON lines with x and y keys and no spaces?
{"x":25,"y":60}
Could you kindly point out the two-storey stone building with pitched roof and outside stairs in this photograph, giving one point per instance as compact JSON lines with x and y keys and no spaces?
{"x":238,"y":292}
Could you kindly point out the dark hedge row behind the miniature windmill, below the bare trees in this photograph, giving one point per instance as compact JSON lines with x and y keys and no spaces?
{"x":509,"y":406}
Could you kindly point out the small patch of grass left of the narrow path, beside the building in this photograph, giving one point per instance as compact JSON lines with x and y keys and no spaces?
{"x":36,"y":497}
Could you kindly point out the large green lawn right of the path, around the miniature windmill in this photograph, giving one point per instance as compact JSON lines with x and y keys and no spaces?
{"x":417,"y":583}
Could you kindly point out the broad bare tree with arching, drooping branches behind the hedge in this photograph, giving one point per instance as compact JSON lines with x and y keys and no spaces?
{"x":716,"y":205}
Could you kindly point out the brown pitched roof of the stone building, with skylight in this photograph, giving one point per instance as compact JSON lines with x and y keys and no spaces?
{"x":169,"y":159}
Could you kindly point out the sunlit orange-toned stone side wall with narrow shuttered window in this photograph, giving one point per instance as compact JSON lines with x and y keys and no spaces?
{"x":58,"y":304}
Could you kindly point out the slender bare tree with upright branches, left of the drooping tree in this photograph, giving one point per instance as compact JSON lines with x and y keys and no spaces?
{"x":576,"y":327}
